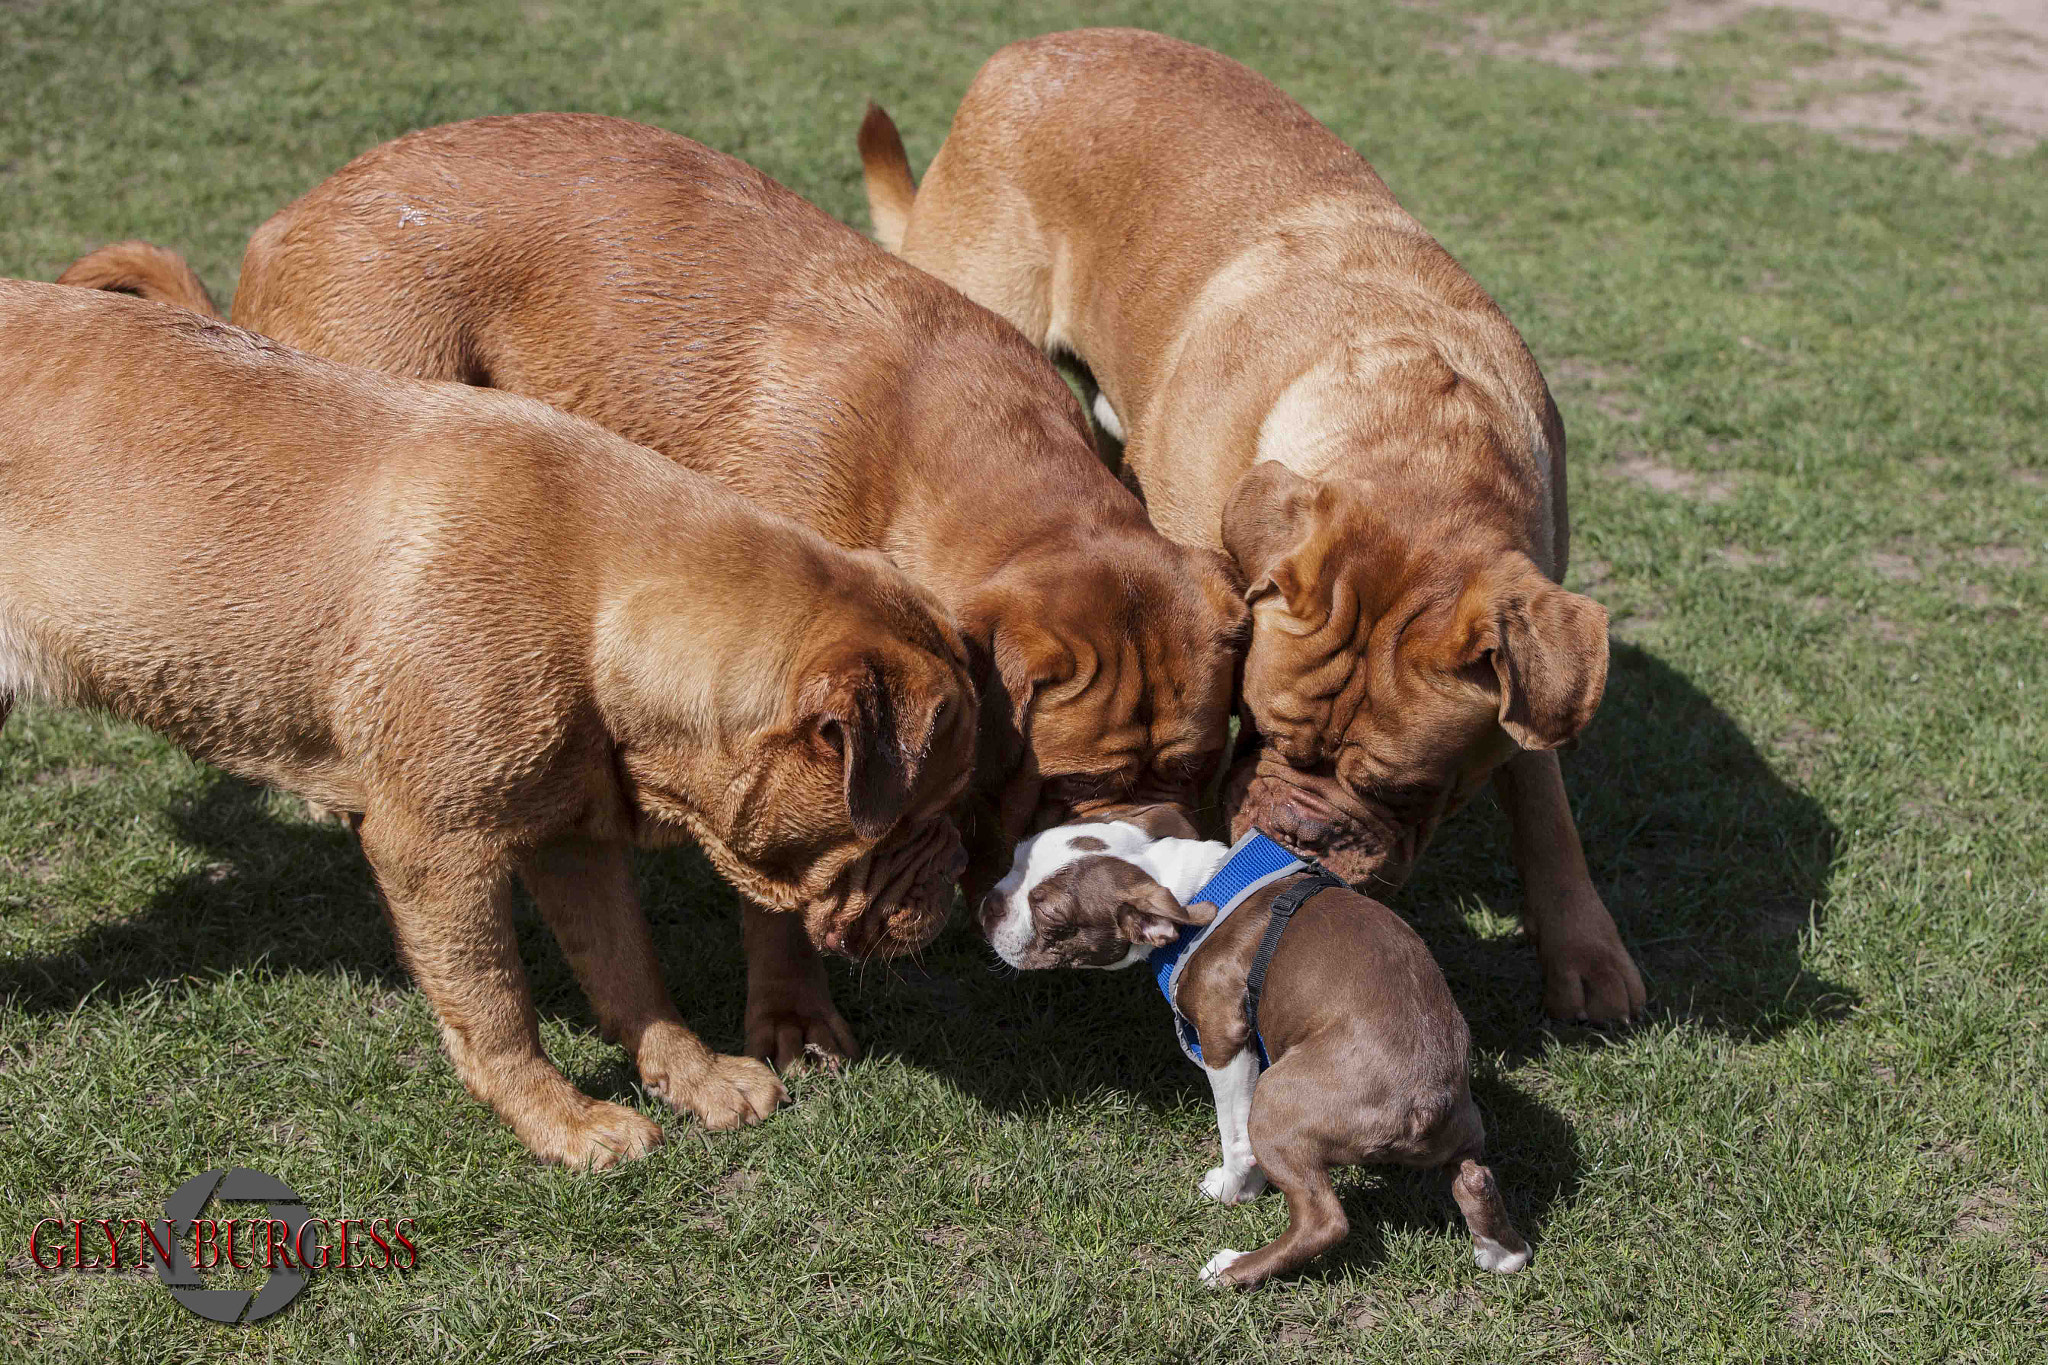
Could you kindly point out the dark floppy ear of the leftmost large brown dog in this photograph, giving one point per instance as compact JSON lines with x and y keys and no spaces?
{"x":853,"y":715}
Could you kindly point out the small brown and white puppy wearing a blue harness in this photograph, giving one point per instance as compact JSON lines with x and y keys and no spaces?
{"x":1369,"y":1051}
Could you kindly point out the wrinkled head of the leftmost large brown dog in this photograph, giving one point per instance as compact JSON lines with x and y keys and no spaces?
{"x":841,"y":809}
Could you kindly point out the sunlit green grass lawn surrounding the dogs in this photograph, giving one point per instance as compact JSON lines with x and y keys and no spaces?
{"x":1805,"y":388}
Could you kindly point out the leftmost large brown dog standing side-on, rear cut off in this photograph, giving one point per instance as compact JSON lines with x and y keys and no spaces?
{"x":509,"y":642}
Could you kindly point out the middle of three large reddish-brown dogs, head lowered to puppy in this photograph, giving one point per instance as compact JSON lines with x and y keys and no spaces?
{"x":689,"y":302}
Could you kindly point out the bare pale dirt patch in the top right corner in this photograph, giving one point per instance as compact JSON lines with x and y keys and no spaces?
{"x":1871,"y":71}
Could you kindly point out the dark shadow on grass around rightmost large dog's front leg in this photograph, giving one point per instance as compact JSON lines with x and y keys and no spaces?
{"x":1711,"y":863}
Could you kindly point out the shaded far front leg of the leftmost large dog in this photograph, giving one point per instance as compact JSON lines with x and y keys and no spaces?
{"x":587,"y":895}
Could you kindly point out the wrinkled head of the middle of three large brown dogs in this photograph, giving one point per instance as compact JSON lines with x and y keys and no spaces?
{"x":1109,"y":691}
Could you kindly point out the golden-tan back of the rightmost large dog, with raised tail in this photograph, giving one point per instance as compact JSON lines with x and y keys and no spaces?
{"x":1205,"y":245}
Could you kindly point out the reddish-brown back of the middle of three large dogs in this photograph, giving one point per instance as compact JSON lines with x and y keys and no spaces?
{"x":675,"y":296}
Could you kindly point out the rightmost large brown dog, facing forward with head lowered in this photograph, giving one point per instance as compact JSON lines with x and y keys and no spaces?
{"x":1308,"y":380}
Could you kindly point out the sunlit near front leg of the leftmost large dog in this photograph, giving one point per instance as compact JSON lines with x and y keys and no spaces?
{"x":452,"y":914}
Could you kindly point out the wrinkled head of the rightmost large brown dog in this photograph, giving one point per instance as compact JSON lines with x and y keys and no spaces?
{"x":1390,"y":680}
